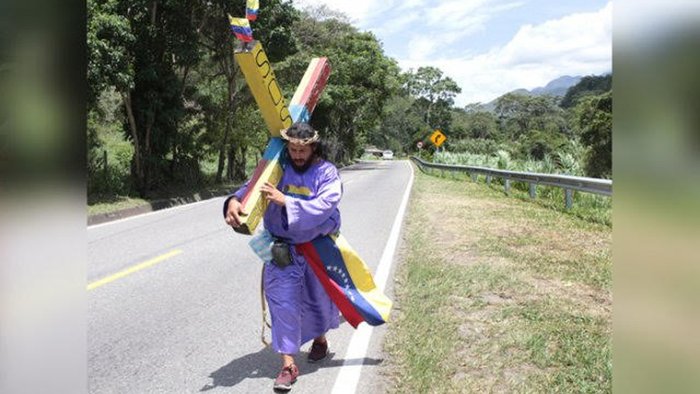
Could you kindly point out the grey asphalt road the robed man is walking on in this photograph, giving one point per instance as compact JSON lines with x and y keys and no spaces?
{"x":187,"y":318}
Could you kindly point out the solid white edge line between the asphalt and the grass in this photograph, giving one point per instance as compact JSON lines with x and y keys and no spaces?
{"x":349,"y":374}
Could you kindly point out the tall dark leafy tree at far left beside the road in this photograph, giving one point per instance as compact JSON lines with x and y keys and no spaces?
{"x":144,"y":49}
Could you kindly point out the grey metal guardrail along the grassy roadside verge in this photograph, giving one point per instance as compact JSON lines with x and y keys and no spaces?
{"x":566,"y":182}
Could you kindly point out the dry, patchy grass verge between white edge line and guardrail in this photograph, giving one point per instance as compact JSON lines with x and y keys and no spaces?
{"x":498,"y":294}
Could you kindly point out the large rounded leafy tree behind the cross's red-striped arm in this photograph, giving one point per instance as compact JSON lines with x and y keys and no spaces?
{"x":361,"y":81}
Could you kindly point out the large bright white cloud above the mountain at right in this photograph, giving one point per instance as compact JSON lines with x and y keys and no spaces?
{"x":578,"y":44}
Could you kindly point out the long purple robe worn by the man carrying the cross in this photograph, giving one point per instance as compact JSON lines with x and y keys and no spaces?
{"x":299,"y":306}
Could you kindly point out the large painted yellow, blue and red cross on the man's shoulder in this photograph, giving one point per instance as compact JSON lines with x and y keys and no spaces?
{"x":268,"y":95}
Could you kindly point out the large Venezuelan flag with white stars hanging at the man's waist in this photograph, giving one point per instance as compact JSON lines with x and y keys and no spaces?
{"x":347,"y":280}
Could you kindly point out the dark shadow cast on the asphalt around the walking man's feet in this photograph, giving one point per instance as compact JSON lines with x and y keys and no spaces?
{"x":266,"y":364}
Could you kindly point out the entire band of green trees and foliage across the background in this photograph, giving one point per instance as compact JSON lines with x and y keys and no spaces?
{"x":167,"y":104}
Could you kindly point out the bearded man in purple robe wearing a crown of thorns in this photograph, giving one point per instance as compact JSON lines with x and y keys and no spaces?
{"x":303,"y":207}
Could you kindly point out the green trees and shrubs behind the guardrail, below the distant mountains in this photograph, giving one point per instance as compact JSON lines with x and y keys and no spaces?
{"x":538,"y":134}
